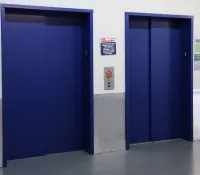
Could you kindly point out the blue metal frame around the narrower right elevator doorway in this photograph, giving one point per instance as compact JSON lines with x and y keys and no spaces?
{"x":127,"y":69}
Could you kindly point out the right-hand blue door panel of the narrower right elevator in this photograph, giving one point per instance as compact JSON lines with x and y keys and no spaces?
{"x":165,"y":79}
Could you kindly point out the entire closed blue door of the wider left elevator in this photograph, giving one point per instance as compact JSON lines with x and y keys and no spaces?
{"x":42,"y":85}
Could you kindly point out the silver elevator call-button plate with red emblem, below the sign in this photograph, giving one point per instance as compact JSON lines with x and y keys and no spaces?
{"x":109,"y":78}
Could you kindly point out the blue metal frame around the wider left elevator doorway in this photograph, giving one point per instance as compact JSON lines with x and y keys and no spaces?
{"x":53,"y":9}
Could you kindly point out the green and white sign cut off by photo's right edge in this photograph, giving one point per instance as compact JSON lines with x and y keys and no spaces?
{"x":197,"y":54}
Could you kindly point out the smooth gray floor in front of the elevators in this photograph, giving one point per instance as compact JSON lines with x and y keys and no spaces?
{"x":162,"y":158}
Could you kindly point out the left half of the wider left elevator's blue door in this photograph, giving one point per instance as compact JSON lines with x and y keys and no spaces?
{"x":23,"y":86}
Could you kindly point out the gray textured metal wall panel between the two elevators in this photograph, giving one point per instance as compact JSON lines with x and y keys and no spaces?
{"x":109,"y":122}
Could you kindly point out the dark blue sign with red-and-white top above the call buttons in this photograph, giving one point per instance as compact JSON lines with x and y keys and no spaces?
{"x":108,"y":46}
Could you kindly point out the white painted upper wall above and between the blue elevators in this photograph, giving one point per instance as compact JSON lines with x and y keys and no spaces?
{"x":109,"y":22}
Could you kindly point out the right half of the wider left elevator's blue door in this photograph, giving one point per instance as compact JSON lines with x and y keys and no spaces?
{"x":63,"y":84}
